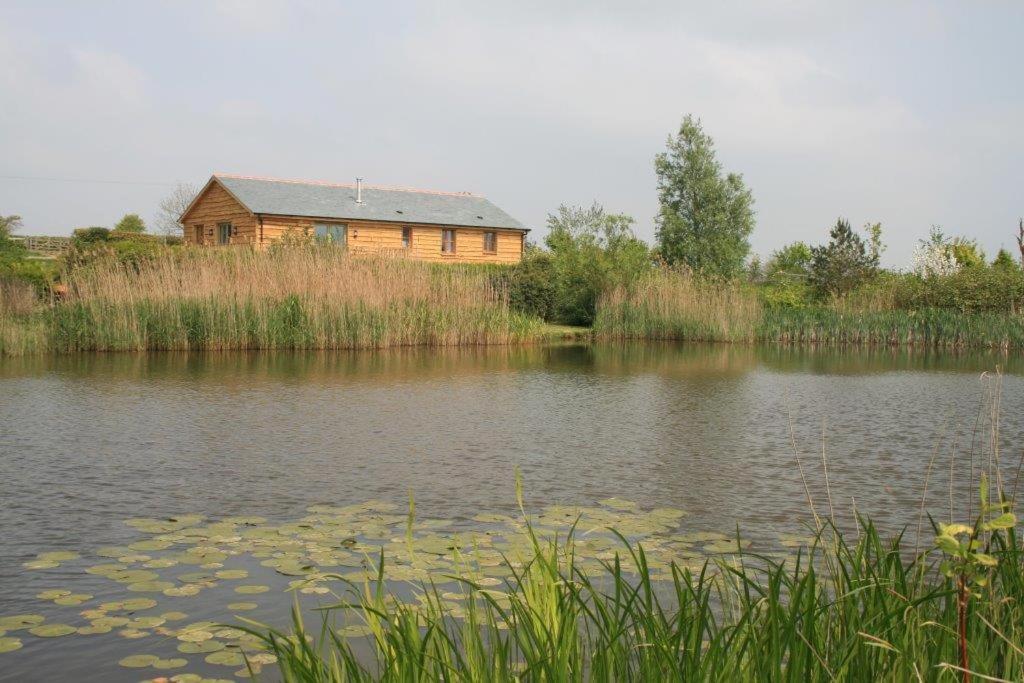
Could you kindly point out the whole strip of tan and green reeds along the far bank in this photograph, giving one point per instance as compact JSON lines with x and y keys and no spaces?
{"x":322,"y":298}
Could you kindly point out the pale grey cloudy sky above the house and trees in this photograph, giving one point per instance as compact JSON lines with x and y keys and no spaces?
{"x":905,"y":113}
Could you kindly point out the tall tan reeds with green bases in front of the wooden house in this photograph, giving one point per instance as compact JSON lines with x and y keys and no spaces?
{"x":304,"y":297}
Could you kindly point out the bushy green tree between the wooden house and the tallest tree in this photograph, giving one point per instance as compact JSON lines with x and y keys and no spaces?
{"x":591,"y":251}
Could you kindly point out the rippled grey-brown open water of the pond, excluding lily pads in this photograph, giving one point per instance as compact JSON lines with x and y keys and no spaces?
{"x":89,"y":442}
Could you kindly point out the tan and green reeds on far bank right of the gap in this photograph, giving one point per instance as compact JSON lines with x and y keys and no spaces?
{"x":676,"y":306}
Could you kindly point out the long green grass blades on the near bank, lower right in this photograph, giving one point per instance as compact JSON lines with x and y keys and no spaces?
{"x":863,"y":609}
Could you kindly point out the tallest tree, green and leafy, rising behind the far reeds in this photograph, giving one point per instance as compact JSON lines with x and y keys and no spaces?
{"x":706,"y":217}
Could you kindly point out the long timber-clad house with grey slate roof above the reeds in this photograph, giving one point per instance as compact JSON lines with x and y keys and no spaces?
{"x":426,"y":226}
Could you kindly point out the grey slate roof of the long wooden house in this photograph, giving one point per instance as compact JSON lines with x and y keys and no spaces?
{"x":295,"y":198}
